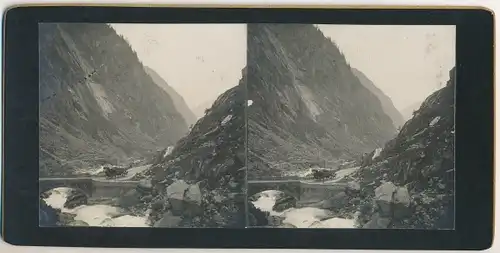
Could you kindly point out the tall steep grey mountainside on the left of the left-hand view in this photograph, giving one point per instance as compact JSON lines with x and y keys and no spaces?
{"x":97,"y":102}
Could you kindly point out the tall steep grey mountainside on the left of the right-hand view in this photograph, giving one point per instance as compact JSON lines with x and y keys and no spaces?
{"x":307,"y":104}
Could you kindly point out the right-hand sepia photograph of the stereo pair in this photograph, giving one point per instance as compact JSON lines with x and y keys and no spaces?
{"x":351,"y":126}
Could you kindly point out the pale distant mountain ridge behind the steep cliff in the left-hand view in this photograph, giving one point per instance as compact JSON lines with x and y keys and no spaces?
{"x":179,"y":102}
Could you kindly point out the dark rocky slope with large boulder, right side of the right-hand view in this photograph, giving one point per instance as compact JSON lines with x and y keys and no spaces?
{"x":411,"y":182}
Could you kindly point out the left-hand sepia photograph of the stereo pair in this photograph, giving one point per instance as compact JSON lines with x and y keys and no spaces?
{"x":142,"y":125}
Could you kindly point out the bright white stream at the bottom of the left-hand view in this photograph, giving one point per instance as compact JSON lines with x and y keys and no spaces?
{"x":94,"y":215}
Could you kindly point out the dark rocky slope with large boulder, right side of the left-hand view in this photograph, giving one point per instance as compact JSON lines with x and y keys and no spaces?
{"x":202,"y":180}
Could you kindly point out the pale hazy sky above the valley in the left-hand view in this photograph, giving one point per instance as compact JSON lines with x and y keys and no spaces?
{"x":200,"y":61}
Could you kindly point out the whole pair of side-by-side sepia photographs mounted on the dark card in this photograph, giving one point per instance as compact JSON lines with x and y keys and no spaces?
{"x":258,"y":125}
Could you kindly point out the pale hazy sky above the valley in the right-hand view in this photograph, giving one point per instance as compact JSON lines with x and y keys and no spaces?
{"x":407,"y":63}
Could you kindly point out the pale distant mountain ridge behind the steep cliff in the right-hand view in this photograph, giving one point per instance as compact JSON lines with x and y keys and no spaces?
{"x":386,"y":101}
